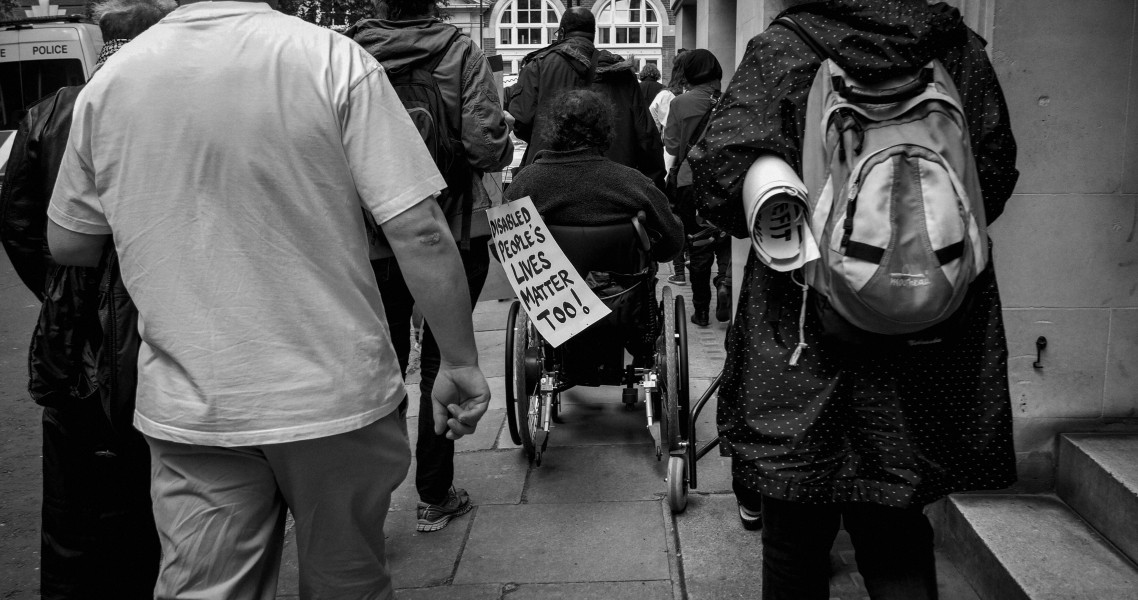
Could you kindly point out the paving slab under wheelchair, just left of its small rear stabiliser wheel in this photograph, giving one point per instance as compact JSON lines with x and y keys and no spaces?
{"x":598,"y":474}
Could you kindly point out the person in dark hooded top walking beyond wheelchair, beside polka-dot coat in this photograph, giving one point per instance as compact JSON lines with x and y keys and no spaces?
{"x":687,"y":119}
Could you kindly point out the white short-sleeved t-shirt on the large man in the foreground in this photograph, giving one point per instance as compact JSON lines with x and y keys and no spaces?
{"x":229,"y":150}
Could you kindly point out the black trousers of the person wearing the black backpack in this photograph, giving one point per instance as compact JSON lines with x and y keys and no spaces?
{"x":434,"y":454}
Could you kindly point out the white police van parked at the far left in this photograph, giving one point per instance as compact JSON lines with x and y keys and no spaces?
{"x":38,"y":56}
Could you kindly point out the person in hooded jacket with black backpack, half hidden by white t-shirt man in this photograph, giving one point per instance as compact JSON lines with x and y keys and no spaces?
{"x":448,"y":88}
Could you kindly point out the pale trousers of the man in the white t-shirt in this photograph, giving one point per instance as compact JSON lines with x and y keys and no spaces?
{"x":220,"y":514}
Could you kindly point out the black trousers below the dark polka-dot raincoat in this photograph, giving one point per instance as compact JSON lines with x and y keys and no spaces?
{"x":894,"y":550}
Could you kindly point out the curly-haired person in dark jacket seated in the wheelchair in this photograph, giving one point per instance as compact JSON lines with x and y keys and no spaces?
{"x":573,"y":184}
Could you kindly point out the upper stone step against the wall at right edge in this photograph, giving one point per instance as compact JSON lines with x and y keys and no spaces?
{"x":1099,"y":478}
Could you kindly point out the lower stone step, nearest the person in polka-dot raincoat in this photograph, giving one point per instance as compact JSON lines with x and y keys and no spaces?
{"x":1033,"y":548}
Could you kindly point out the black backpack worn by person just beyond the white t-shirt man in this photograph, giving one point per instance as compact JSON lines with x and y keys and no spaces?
{"x":418,"y":89}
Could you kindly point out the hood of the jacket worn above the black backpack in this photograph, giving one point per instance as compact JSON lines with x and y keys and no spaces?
{"x":405,"y":42}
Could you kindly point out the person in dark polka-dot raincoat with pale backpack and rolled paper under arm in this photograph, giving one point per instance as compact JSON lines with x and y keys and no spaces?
{"x":832,"y":426}
